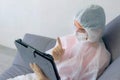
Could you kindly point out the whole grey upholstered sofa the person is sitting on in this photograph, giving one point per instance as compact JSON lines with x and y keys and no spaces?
{"x":111,"y":39}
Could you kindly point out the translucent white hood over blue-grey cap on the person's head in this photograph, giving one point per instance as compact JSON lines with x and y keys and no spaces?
{"x":92,"y":19}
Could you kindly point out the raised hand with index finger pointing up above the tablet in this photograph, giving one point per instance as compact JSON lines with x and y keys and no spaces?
{"x":58,"y":51}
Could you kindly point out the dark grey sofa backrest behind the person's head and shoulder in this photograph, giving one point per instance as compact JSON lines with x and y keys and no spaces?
{"x":111,"y":37}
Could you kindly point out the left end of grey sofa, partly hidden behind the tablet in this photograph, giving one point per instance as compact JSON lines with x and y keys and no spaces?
{"x":19,"y":67}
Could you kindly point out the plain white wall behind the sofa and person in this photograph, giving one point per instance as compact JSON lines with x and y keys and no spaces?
{"x":50,"y":18}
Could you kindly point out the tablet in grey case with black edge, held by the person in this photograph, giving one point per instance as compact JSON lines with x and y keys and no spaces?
{"x":44,"y":60}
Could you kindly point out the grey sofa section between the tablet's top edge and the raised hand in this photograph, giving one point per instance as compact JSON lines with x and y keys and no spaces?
{"x":41,"y":43}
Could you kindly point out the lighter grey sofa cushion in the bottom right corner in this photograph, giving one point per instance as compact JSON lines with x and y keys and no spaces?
{"x":112,"y":72}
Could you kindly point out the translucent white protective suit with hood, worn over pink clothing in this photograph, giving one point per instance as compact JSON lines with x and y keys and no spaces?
{"x":83,"y":60}
